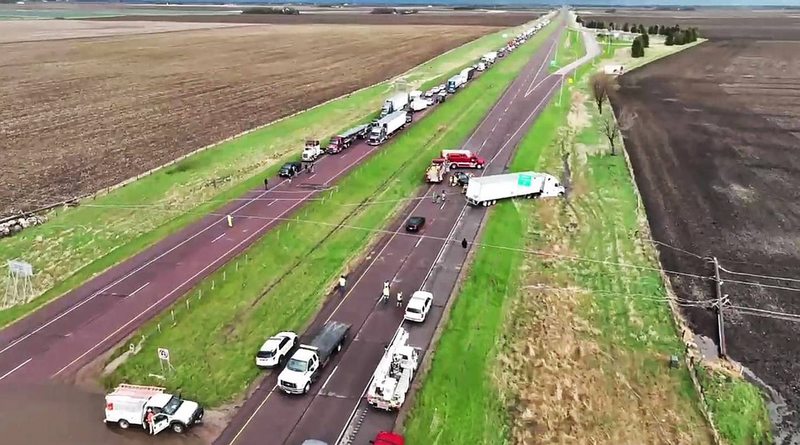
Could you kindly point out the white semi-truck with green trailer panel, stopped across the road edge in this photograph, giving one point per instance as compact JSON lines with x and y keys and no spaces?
{"x":486,"y":190}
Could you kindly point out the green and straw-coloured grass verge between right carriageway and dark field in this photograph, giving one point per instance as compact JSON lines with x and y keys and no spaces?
{"x":564,"y":351}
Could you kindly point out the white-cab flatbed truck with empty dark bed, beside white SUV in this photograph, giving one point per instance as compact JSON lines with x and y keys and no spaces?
{"x":306,"y":364}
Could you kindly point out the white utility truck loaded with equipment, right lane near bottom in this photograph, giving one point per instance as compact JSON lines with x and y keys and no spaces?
{"x":392,"y":378}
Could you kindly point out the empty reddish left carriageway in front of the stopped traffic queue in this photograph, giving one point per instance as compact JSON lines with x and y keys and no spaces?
{"x":66,"y":334}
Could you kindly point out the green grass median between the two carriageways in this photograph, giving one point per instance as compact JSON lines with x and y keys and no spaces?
{"x":213,"y":341}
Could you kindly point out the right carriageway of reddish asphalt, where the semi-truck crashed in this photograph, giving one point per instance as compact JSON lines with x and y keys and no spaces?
{"x":336,"y":410}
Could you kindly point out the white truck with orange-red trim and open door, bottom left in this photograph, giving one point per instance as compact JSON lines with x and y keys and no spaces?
{"x":128,"y":404}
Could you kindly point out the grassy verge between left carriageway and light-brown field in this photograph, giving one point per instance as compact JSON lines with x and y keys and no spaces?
{"x":78,"y":243}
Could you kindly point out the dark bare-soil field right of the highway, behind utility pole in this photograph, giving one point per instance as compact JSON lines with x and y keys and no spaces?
{"x":714,"y":149}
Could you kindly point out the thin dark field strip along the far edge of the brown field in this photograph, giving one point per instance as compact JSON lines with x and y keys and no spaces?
{"x":337,"y":18}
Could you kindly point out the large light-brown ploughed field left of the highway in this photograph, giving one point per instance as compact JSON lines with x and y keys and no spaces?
{"x":81,"y":115}
